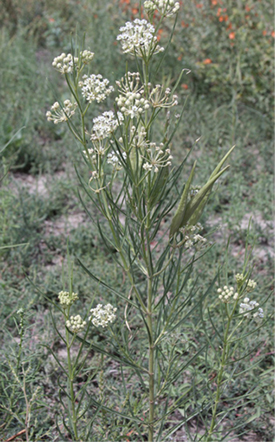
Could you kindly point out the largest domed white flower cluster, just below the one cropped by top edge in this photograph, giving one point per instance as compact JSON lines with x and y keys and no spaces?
{"x":138,"y":39}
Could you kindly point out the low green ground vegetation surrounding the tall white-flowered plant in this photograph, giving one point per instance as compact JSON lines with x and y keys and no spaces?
{"x":230,"y":103}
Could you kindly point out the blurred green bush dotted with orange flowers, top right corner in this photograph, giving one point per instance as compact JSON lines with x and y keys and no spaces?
{"x":228,"y":48}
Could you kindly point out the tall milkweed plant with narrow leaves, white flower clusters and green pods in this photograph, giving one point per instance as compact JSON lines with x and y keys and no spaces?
{"x":156,"y":234}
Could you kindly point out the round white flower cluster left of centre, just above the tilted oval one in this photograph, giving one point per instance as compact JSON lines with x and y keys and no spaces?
{"x":95,"y":88}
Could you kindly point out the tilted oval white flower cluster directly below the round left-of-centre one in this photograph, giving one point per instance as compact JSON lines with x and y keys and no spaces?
{"x":105,"y":125}
